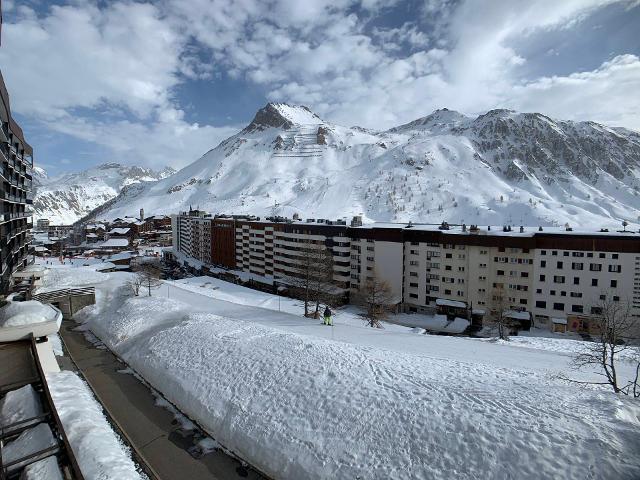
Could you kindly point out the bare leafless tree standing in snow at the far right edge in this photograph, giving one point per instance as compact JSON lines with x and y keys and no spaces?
{"x":615,"y":331}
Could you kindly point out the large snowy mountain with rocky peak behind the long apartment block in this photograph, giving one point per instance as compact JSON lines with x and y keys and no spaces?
{"x":501,"y":167}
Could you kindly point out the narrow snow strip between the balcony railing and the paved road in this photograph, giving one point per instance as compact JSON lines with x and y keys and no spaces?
{"x":99,"y":451}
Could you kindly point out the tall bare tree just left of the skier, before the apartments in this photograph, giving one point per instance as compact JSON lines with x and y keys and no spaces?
{"x":313,"y":275}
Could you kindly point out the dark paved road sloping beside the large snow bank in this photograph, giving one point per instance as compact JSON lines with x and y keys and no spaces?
{"x":152,"y":430}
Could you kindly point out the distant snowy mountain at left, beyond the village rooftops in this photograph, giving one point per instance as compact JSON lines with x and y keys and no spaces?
{"x":63,"y":200}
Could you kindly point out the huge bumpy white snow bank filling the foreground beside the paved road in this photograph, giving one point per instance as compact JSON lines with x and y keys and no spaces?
{"x":297,"y":406}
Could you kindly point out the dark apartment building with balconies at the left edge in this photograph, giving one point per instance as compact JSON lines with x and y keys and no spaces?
{"x":16,"y":156}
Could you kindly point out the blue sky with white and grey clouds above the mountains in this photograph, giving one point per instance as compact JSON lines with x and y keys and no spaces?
{"x":159,"y":83}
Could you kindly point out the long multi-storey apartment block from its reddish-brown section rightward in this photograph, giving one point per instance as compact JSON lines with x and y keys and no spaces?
{"x":549,"y":273}
